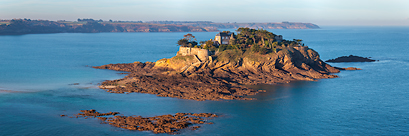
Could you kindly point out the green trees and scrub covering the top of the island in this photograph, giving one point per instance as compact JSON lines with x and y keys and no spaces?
{"x":245,"y":43}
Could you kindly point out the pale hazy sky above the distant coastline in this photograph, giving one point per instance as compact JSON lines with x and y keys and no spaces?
{"x":321,"y":12}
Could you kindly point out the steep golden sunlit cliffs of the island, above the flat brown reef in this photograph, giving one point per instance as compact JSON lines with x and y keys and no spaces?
{"x":286,"y":65}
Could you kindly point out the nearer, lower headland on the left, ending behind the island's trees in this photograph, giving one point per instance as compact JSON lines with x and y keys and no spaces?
{"x":27,"y":26}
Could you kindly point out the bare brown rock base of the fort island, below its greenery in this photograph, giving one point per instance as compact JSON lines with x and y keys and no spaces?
{"x":222,"y":76}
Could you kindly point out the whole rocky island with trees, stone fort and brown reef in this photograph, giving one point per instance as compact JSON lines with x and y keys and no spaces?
{"x":221,"y":68}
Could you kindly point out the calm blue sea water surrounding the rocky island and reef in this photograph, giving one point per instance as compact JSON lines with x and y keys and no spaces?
{"x":36,"y":70}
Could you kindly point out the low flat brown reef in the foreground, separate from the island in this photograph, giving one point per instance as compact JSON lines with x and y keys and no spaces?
{"x":157,"y":124}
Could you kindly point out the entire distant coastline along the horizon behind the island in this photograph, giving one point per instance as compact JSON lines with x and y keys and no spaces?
{"x":28,"y":26}
